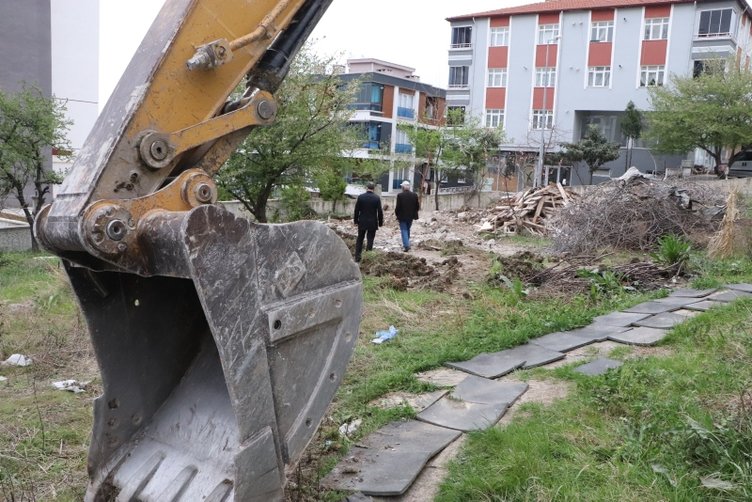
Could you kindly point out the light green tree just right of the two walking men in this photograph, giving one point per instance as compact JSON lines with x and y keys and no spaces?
{"x":459,"y":146}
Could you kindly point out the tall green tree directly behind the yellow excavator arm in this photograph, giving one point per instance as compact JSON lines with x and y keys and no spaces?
{"x":310,"y":130}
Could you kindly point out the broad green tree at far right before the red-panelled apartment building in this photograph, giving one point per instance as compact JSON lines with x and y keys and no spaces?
{"x":711,"y":111}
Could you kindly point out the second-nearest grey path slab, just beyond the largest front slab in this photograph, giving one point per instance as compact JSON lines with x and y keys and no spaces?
{"x":463,"y":415}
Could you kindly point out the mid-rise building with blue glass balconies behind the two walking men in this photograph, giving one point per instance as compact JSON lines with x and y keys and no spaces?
{"x":390,"y":95}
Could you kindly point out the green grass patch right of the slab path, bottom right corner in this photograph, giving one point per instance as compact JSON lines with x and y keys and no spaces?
{"x":670,"y":428}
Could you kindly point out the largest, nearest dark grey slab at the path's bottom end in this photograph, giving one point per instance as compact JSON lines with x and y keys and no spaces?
{"x":388,"y":461}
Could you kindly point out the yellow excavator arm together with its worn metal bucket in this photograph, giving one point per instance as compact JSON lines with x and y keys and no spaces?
{"x":220,"y":342}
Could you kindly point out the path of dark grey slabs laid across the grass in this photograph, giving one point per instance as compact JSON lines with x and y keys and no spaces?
{"x":387,"y":462}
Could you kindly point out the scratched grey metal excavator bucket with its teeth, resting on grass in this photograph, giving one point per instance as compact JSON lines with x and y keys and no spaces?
{"x":216,"y":377}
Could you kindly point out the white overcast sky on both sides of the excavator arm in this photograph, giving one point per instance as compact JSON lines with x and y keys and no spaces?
{"x":411,"y":33}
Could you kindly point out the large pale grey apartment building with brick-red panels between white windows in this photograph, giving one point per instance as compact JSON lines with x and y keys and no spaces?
{"x":546,"y":71}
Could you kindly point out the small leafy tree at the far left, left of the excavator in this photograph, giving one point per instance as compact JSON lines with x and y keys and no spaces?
{"x":31,"y":125}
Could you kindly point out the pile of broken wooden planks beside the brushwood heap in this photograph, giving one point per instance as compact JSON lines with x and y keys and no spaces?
{"x":528,"y":211}
